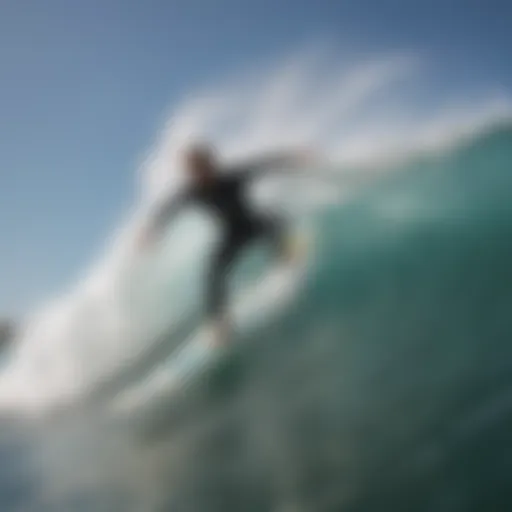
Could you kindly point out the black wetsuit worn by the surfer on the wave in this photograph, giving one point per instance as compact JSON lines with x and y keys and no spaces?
{"x":225,"y":198}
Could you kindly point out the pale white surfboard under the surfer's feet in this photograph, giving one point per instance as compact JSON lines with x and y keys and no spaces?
{"x":257,"y":304}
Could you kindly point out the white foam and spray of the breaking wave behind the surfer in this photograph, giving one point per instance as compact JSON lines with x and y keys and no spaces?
{"x":354,"y":113}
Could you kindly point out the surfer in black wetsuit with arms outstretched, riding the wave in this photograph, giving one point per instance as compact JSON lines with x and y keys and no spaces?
{"x":222,"y":192}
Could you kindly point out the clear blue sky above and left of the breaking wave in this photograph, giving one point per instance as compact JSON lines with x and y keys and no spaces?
{"x":84,"y":87}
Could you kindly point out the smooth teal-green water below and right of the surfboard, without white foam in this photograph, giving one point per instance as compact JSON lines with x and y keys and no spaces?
{"x":385,"y":385}
